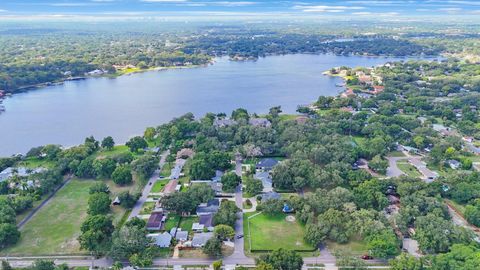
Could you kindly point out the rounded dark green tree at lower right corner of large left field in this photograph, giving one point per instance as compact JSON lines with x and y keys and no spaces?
{"x":96,"y":234}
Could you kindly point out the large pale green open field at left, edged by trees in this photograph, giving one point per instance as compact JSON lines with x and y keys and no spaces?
{"x":55,"y":228}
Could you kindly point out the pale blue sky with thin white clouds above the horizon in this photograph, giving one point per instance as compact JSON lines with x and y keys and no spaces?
{"x":304,"y":8}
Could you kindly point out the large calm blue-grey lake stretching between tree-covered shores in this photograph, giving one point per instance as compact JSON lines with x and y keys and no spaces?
{"x":122,"y":107}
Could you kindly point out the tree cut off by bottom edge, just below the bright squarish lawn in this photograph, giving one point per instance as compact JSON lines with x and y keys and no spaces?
{"x":282,"y":259}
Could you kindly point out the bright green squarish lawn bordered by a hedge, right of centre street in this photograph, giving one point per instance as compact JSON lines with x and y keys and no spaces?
{"x":269,"y":233}
